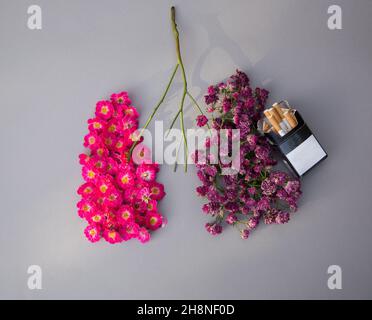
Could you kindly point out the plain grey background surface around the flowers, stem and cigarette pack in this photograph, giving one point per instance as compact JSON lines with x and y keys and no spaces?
{"x":50,"y":80}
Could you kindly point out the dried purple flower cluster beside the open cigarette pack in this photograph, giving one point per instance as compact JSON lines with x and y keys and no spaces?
{"x":256,"y":193}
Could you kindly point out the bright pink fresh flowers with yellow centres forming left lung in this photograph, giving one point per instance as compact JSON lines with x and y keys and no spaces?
{"x":120,"y":195}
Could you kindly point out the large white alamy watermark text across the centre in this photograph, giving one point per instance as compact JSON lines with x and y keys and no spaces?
{"x":202,"y":146}
